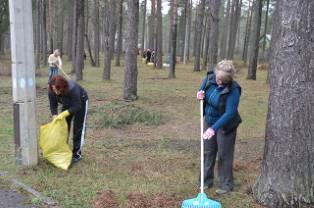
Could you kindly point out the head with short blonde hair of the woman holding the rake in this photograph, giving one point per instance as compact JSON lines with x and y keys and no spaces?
{"x":226,"y":71}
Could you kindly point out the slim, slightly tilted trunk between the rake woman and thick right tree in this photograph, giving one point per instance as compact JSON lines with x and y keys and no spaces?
{"x":254,"y":40}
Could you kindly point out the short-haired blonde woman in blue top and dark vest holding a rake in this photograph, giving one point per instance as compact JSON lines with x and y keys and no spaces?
{"x":221,"y":96}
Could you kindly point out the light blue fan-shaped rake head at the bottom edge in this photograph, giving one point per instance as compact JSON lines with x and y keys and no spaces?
{"x":201,"y":201}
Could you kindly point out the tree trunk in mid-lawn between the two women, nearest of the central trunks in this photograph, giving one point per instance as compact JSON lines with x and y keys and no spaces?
{"x":130,"y":73}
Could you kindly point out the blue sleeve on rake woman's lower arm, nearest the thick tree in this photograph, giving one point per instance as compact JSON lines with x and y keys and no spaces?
{"x":232,"y":103}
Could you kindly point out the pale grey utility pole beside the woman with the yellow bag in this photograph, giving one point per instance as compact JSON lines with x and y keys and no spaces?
{"x":23,"y":82}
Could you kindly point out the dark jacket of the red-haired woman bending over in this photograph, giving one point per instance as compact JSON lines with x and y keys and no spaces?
{"x":72,"y":101}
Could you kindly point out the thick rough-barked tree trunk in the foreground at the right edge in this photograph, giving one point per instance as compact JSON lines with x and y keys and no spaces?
{"x":287,"y":177}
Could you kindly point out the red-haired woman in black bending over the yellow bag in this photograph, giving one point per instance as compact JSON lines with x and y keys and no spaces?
{"x":74,"y":100}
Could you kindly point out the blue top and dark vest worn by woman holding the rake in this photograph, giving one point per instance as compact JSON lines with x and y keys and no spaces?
{"x":221,"y":104}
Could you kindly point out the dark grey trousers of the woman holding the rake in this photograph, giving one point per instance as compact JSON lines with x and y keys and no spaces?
{"x":223,"y":145}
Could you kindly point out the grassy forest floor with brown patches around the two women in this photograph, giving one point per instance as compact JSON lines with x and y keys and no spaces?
{"x":151,"y":160}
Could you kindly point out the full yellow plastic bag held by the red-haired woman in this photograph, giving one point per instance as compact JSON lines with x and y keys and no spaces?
{"x":53,"y":143}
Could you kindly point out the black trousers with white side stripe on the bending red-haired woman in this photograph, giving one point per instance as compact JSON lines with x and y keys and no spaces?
{"x":79,"y":126}
